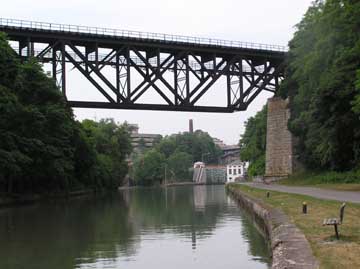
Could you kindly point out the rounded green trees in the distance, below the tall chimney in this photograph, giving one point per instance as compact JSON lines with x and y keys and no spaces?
{"x":174,"y":155}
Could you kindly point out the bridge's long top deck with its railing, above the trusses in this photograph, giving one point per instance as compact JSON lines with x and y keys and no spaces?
{"x":110,"y":38}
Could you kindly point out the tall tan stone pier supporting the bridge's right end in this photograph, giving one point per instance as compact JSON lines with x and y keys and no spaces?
{"x":280,"y":160}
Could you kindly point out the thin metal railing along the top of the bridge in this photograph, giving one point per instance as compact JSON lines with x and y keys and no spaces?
{"x":137,"y":34}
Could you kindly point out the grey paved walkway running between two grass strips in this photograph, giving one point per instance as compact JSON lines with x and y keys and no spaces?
{"x":343,"y":196}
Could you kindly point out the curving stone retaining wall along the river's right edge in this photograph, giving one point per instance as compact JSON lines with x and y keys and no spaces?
{"x":289,"y":247}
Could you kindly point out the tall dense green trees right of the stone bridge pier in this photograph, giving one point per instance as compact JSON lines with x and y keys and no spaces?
{"x":322,"y":85}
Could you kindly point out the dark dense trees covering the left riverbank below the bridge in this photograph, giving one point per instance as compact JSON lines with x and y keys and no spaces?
{"x":42,"y":147}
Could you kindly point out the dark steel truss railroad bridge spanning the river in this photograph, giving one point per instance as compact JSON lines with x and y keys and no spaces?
{"x":180,"y":69}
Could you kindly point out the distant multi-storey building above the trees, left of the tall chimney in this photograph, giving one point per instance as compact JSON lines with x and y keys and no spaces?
{"x":140,"y":141}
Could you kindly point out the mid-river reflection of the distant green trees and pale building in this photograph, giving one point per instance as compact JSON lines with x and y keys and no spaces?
{"x":173,"y":208}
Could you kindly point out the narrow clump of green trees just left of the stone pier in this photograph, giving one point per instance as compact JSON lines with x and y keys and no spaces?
{"x":253,"y":143}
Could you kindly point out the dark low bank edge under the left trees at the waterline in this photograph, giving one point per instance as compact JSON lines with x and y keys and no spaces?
{"x":14,"y":200}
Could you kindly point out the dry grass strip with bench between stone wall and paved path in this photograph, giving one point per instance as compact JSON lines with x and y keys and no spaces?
{"x":331,"y":253}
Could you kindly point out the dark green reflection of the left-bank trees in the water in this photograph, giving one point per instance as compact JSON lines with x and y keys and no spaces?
{"x":56,"y":235}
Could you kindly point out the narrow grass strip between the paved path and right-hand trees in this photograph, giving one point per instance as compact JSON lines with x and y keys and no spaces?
{"x":345,"y":181}
